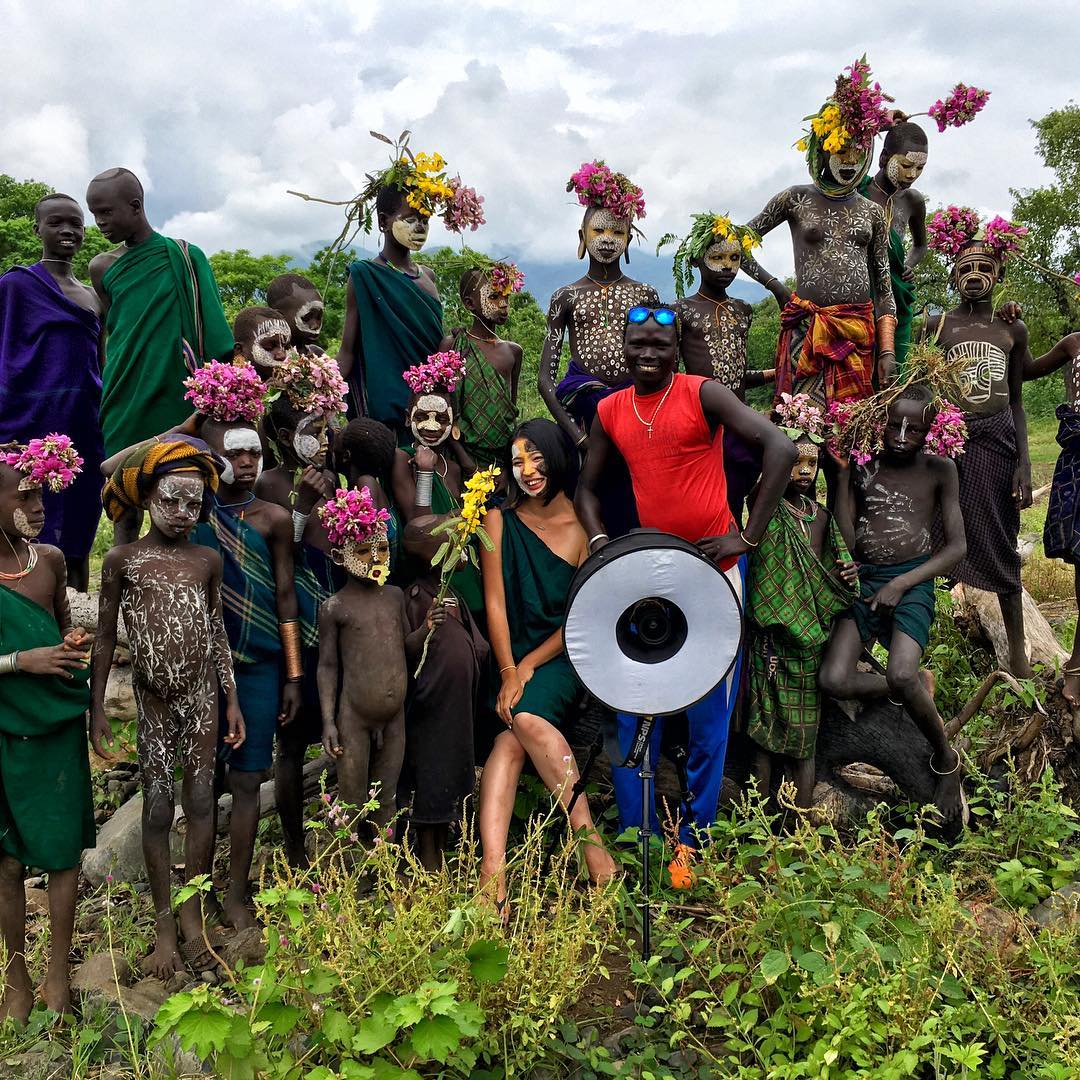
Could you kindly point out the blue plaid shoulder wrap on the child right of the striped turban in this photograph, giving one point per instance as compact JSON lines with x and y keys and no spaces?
{"x":249,"y":591}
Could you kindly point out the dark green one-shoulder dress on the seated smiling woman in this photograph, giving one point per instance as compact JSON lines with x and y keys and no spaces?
{"x":537,"y":584}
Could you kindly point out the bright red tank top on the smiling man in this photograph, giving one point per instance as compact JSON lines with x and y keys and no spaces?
{"x":679,"y":472}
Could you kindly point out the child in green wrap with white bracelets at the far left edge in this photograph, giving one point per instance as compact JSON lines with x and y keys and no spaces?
{"x":47,"y":814}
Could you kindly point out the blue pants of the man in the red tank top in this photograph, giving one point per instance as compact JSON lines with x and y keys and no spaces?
{"x":708,"y":745}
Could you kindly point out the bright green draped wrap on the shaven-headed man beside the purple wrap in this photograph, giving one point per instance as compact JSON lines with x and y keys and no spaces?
{"x":152,"y":316}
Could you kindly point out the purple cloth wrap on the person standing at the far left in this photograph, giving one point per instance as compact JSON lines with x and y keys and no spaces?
{"x":50,"y":382}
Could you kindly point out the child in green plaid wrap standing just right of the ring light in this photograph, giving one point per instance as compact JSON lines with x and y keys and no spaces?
{"x":800,"y":579}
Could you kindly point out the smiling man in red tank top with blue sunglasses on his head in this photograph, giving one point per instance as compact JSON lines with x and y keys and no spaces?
{"x":669,"y":429}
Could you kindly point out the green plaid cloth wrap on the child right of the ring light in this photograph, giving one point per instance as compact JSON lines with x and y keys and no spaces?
{"x":792,"y":599}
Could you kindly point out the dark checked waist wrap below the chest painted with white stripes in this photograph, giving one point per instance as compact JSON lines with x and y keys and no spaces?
{"x":991,"y":515}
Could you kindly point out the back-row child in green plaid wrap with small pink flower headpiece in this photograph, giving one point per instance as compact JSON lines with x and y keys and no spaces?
{"x":490,"y":386}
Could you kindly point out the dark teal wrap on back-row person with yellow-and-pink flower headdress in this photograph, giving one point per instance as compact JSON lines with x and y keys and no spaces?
{"x":400,"y":326}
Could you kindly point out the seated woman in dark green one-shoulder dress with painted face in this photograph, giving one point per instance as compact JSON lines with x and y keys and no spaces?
{"x":538,"y":546}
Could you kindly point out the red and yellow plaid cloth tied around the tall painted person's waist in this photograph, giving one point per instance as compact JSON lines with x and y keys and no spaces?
{"x":836,"y":358}
